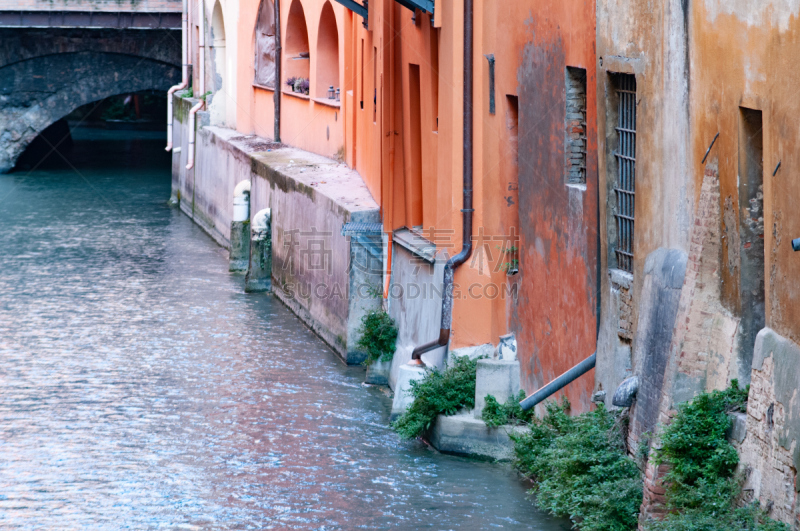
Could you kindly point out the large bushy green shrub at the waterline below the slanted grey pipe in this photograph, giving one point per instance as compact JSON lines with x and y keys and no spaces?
{"x":580,"y":468}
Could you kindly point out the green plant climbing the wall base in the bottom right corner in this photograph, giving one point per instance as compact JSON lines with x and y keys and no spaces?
{"x":702,"y":487}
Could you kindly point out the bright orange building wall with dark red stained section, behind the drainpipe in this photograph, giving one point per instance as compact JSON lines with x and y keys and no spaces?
{"x":555,"y":318}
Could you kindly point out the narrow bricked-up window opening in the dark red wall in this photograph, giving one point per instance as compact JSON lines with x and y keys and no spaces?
{"x":575,"y":146}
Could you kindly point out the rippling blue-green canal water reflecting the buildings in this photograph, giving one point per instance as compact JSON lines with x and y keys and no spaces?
{"x":140,"y":388}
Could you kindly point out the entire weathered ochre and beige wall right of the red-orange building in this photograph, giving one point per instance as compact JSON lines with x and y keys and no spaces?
{"x":697,"y":65}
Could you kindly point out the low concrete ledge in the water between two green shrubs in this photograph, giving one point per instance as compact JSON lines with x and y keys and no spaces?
{"x":463,"y":434}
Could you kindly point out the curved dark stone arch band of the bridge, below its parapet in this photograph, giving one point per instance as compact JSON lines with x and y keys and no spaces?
{"x":37,"y":92}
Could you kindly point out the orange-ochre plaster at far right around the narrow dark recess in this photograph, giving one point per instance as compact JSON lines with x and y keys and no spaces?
{"x":744,"y":55}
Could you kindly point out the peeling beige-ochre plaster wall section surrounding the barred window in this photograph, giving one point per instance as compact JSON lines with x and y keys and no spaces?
{"x":651,"y":41}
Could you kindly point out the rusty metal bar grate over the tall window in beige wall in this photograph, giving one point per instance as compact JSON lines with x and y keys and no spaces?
{"x":626,"y":170}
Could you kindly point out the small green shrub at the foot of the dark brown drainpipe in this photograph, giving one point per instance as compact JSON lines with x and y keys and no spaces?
{"x":439,"y":393}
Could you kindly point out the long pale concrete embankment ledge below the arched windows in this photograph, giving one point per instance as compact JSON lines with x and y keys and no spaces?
{"x":311,"y":198}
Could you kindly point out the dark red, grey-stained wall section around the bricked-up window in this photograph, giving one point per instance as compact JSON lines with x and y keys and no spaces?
{"x":555,"y":317}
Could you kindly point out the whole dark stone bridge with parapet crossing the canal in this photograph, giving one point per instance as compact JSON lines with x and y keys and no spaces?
{"x":54,"y":60}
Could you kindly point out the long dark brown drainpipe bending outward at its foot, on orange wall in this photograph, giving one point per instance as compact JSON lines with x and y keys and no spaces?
{"x":466,"y":212}
